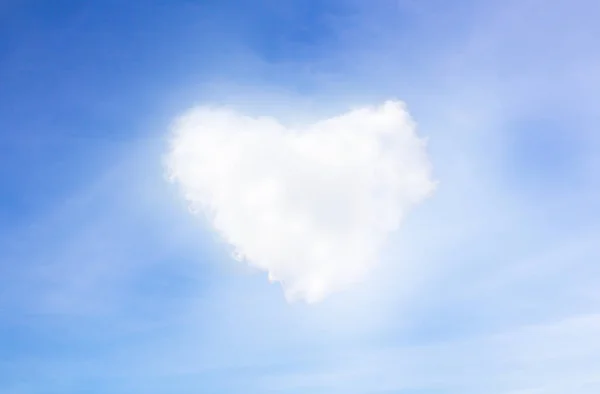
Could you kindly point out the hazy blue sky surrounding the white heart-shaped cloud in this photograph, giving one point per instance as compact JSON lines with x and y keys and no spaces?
{"x":109,"y":284}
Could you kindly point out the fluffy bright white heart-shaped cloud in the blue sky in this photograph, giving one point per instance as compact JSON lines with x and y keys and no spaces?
{"x":311,"y":207}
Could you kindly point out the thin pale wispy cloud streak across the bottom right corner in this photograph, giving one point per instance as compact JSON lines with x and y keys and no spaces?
{"x":550,"y":358}
